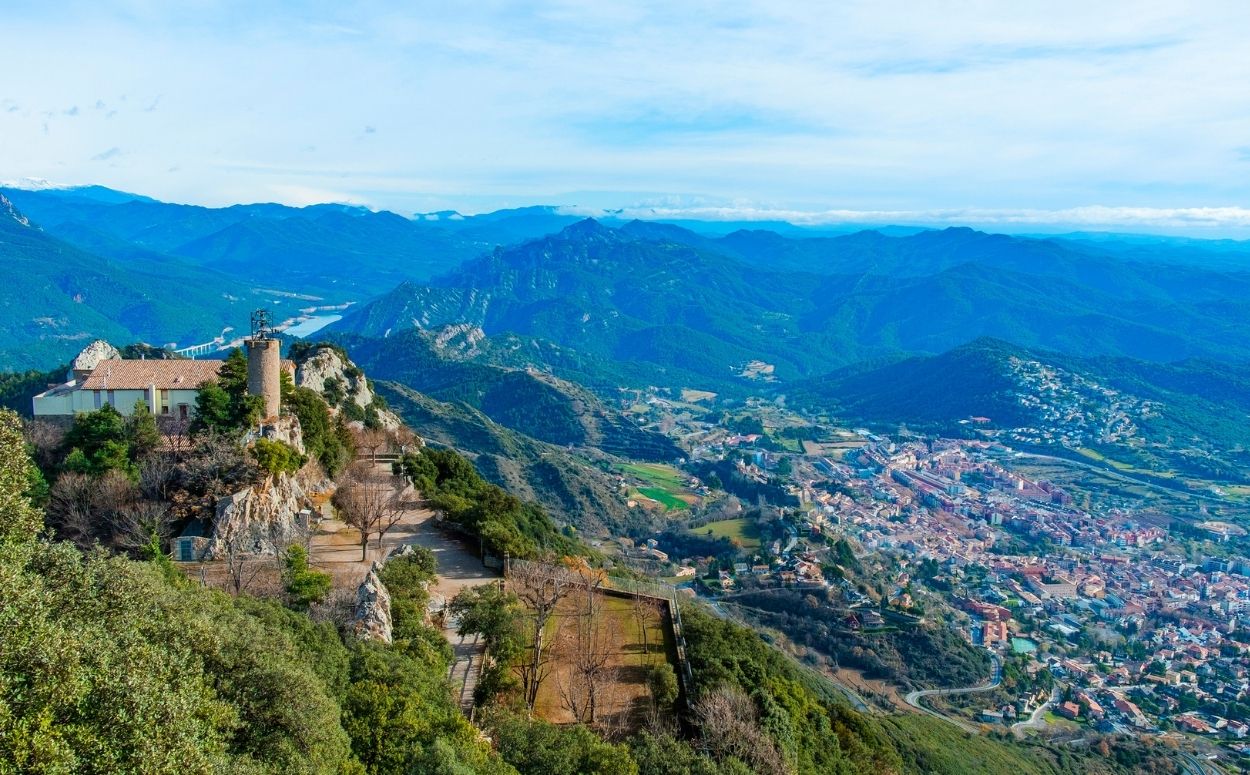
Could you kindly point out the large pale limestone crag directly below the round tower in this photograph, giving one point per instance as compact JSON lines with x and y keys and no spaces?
{"x":262,"y":521}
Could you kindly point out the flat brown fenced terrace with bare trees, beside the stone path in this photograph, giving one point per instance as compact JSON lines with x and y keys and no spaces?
{"x":616,"y":631}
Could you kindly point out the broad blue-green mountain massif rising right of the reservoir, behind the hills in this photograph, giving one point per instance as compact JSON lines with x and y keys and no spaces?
{"x":664,"y":297}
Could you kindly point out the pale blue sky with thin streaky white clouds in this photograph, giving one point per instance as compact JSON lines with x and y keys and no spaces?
{"x":1022,"y":116}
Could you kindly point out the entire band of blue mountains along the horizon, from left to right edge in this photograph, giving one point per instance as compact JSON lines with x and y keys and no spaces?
{"x":651,"y":301}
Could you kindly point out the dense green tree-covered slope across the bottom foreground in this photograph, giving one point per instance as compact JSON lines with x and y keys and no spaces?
{"x":117,"y":666}
